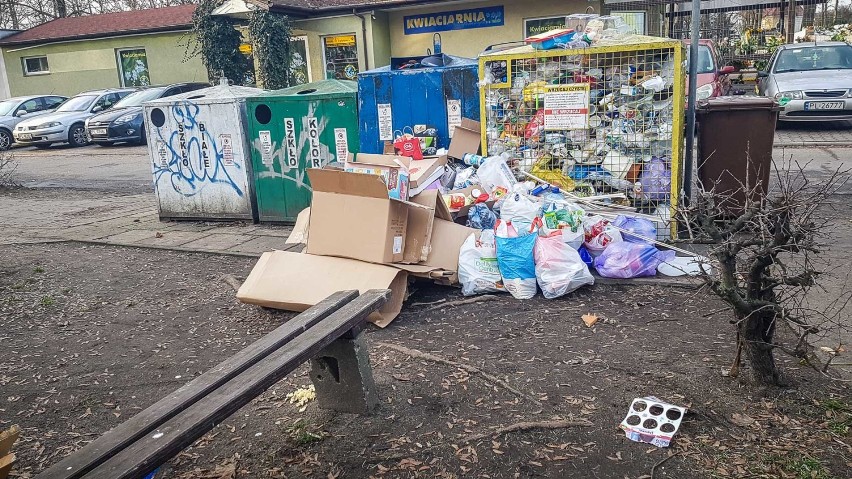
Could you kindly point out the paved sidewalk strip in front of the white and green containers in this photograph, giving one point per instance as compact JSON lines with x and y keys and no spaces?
{"x":31,"y":216}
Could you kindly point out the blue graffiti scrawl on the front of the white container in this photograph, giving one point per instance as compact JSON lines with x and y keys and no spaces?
{"x":190,"y":157}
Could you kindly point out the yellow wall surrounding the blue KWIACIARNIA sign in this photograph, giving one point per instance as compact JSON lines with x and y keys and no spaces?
{"x":470,"y":43}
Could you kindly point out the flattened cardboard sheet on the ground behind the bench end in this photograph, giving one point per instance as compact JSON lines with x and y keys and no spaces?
{"x":296,"y":281}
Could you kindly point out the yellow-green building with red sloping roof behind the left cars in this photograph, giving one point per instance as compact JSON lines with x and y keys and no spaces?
{"x":70,"y":55}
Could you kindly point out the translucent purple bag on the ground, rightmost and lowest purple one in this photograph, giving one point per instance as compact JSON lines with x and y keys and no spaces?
{"x":630,"y":260}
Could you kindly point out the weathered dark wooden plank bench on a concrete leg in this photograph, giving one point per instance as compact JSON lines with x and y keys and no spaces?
{"x":328,"y":334}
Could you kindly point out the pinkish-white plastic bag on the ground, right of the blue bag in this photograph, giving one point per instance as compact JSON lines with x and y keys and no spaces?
{"x":558,"y":267}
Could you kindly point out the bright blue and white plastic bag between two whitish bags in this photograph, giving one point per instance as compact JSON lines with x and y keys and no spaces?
{"x":516,"y":261}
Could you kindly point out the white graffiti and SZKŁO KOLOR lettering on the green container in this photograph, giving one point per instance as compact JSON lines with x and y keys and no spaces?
{"x":286,"y":152}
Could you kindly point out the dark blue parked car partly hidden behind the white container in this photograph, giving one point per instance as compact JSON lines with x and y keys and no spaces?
{"x":123,"y":122}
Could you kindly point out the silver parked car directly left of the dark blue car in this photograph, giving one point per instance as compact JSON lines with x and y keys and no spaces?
{"x":67,"y":123}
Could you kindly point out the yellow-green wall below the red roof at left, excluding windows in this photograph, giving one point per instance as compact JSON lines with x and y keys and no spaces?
{"x":92,"y":64}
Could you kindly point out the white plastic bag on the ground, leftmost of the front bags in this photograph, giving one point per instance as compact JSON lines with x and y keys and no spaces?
{"x":478,"y":270}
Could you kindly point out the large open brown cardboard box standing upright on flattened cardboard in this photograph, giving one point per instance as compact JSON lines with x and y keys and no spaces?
{"x":352,"y":217}
